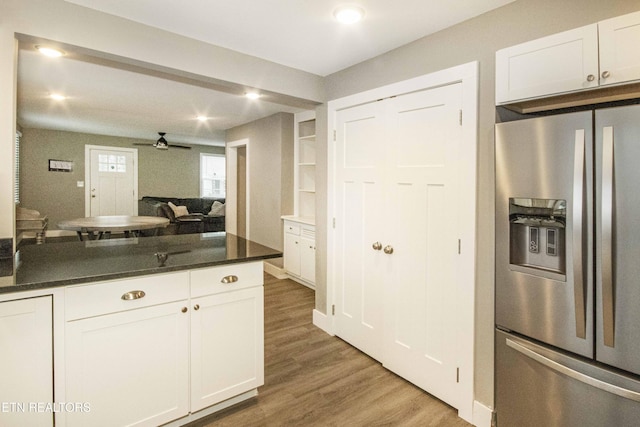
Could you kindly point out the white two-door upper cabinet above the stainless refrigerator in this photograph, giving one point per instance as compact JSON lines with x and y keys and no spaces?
{"x":587,"y":57}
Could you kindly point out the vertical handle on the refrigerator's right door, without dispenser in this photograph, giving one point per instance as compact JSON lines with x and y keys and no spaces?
{"x":608,"y":319}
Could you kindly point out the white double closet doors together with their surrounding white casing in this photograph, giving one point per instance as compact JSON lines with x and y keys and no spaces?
{"x":433,"y":238}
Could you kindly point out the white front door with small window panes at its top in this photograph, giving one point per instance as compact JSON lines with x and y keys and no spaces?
{"x":112,"y":181}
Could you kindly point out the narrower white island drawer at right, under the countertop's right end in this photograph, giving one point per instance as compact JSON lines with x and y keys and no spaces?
{"x":207,"y":281}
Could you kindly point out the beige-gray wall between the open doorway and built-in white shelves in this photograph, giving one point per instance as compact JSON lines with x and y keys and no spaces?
{"x":270,"y":171}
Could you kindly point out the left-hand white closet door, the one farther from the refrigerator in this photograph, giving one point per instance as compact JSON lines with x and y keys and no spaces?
{"x":359,"y":198}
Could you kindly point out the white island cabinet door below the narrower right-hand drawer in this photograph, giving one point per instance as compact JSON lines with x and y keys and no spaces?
{"x":227,"y":346}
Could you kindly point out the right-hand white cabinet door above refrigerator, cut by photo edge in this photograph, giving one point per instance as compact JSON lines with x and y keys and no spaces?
{"x":619,"y":53}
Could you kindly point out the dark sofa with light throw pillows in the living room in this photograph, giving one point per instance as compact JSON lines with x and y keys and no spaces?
{"x":186,"y":215}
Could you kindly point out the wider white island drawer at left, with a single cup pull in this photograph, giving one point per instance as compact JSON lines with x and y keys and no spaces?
{"x":120,"y":295}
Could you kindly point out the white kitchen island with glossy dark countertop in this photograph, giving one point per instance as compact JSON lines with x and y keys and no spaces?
{"x":142,"y":331}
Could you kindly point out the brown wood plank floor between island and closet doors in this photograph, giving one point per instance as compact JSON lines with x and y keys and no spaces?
{"x":313,"y":379}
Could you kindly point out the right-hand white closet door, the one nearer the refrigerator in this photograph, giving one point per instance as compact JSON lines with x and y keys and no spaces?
{"x":420,"y":306}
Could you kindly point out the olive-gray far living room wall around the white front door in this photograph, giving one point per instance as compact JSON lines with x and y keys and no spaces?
{"x":171,"y":173}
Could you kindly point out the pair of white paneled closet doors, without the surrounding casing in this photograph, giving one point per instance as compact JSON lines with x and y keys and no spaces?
{"x":397,"y":165}
